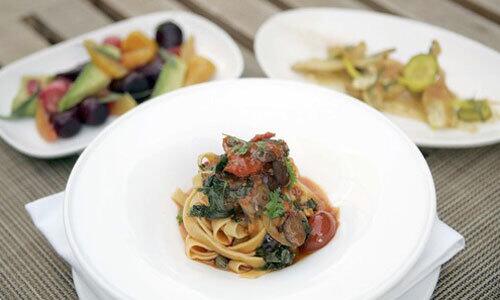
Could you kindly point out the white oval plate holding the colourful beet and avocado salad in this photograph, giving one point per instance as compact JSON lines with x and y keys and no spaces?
{"x":211,"y":41}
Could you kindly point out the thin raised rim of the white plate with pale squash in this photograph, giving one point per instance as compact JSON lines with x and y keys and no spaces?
{"x":424,"y":142}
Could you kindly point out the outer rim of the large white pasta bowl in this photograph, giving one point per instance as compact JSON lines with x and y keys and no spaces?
{"x":99,"y":281}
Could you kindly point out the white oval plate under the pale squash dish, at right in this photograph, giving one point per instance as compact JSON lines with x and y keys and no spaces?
{"x":473,"y":70}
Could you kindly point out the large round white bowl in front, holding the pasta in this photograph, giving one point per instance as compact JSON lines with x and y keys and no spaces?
{"x":121,"y":225}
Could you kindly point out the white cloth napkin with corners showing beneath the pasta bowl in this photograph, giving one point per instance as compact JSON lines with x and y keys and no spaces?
{"x":444,"y":243}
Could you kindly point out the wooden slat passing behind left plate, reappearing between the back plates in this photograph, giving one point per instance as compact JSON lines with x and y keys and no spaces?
{"x":127,"y":8}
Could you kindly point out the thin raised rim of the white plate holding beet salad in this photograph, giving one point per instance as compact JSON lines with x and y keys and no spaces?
{"x":76,"y":148}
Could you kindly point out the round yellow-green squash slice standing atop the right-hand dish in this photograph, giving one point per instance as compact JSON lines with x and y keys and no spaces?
{"x":420,"y":72}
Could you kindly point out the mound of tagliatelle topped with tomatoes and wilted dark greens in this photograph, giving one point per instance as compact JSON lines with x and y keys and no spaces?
{"x":249,"y":212}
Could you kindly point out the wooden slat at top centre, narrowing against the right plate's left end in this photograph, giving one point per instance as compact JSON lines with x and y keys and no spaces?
{"x":237,"y":16}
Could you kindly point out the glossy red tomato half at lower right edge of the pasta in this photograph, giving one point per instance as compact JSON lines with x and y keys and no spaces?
{"x":323,"y":229}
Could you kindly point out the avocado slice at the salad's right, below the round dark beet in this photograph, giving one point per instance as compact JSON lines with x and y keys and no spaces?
{"x":171,"y":76}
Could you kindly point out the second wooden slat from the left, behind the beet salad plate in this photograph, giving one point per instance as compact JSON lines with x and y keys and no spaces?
{"x":69,"y":18}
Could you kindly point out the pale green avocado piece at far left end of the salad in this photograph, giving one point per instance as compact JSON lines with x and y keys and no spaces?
{"x":24,"y":104}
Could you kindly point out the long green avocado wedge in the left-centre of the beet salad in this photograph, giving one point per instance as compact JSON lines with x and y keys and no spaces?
{"x":90,"y":81}
